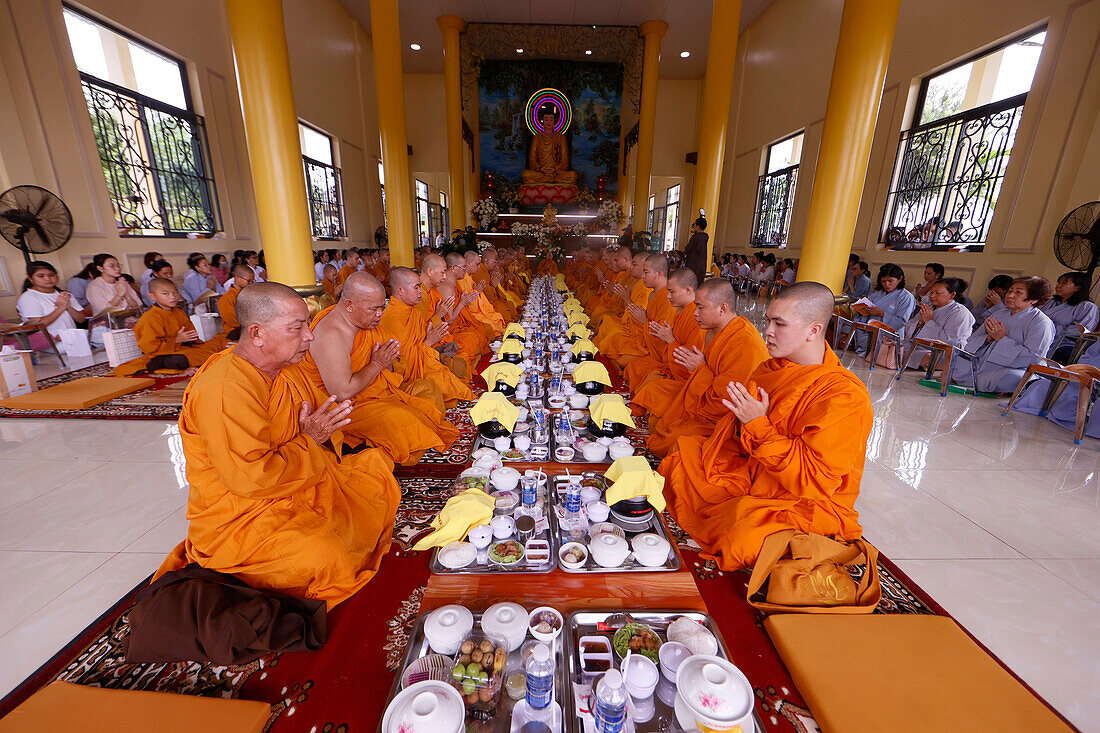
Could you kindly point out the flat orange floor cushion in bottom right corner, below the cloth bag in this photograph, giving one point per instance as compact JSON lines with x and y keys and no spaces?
{"x":904,"y":674}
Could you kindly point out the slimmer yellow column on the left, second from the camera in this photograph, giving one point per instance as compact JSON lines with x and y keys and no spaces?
{"x":387,"y":40}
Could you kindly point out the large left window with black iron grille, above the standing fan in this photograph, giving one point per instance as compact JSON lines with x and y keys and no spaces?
{"x":152,"y":146}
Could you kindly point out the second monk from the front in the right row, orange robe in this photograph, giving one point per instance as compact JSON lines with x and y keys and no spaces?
{"x":733,"y":348}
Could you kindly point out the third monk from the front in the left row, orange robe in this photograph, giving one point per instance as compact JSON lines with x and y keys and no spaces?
{"x":420,"y":360}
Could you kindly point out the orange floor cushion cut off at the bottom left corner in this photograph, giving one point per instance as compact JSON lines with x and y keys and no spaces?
{"x":67,"y":707}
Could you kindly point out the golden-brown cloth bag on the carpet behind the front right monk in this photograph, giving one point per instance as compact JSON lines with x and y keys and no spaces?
{"x":809,"y":574}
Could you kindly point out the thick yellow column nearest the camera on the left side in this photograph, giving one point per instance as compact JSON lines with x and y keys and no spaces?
{"x":263,"y":74}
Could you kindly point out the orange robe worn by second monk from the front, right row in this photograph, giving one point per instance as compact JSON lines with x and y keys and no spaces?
{"x":731,"y":357}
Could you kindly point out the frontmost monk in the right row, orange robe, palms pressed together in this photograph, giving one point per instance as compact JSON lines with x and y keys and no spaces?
{"x":789,"y":454}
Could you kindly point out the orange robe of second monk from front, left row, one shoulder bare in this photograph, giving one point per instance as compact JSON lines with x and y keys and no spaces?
{"x":402,"y":420}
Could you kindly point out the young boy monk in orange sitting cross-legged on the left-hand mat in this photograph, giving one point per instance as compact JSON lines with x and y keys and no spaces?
{"x":168,"y":337}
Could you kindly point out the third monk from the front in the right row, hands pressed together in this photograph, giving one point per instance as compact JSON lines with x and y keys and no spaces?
{"x":663,"y":338}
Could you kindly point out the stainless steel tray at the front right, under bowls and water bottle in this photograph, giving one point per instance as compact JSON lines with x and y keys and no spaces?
{"x":587,"y":623}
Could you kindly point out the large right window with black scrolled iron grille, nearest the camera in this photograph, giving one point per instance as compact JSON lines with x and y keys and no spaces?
{"x":951,"y":163}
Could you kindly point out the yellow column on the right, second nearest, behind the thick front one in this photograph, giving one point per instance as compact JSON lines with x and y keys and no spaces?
{"x":714,"y":118}
